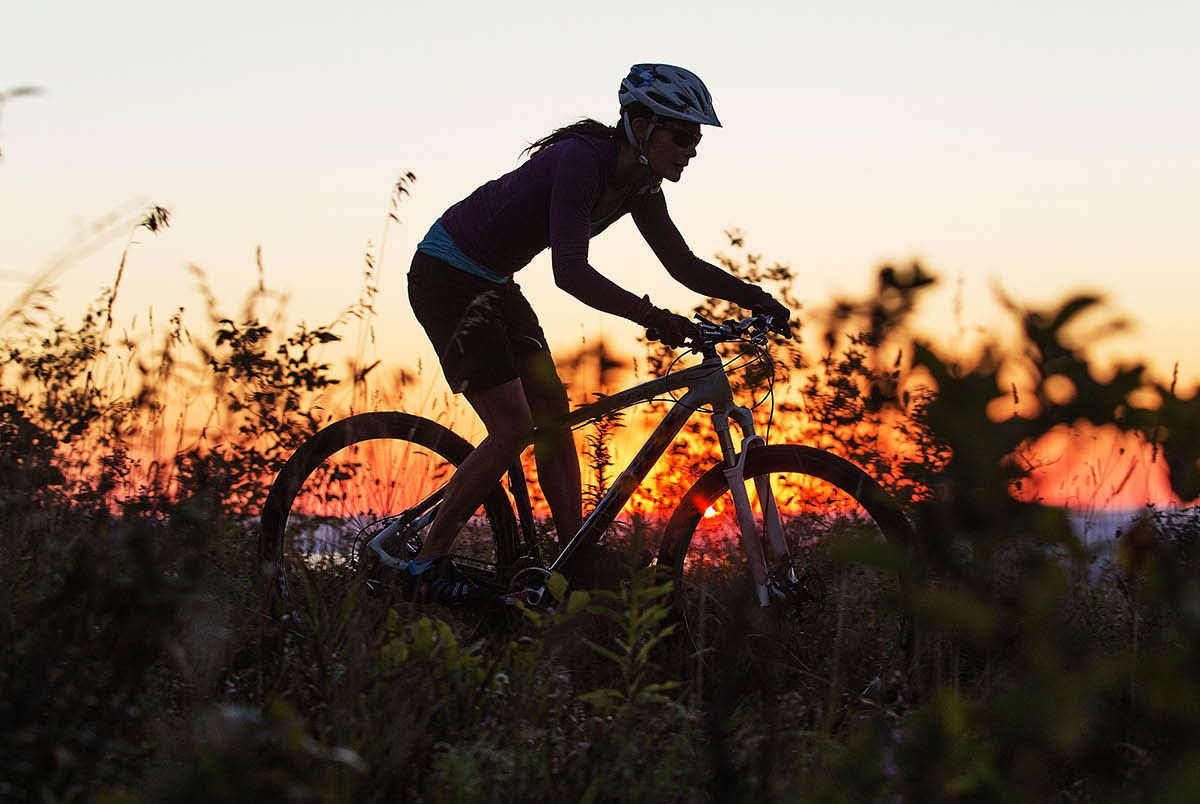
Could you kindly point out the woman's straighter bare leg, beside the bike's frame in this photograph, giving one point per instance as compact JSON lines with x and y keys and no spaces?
{"x":559,"y":461}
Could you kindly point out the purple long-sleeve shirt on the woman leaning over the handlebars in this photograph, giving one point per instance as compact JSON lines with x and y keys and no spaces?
{"x":548,"y":202}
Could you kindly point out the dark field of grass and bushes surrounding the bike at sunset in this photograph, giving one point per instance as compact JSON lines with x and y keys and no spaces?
{"x":140,"y":661}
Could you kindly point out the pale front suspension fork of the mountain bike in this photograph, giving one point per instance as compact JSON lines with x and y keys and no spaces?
{"x":770,"y":559}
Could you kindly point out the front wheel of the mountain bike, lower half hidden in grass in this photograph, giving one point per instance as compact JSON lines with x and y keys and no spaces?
{"x":839,"y":621}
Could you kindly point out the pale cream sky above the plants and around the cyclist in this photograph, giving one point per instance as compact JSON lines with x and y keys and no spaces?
{"x":1045,"y":146}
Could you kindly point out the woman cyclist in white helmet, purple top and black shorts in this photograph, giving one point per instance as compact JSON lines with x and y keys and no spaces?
{"x":579,"y":181}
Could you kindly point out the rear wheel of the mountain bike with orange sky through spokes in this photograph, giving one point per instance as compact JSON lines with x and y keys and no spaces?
{"x":349,"y":483}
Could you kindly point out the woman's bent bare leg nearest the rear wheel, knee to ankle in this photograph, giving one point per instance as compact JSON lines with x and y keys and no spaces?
{"x":506,"y":413}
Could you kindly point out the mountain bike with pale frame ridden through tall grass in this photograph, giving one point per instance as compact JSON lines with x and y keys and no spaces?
{"x":502,"y":548}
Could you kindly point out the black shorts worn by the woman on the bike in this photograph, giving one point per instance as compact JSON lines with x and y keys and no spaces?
{"x":479,"y":329}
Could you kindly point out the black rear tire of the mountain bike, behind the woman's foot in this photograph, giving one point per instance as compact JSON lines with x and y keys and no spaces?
{"x":395,"y":430}
